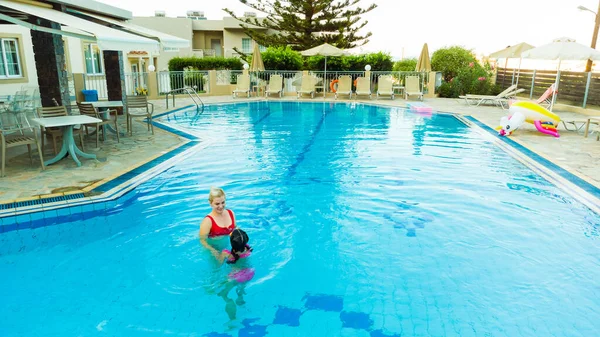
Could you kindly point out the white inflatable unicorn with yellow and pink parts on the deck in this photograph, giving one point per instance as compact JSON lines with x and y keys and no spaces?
{"x":519,"y":112}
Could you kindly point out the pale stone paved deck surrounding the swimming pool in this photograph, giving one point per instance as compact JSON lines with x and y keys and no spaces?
{"x":25,"y":181}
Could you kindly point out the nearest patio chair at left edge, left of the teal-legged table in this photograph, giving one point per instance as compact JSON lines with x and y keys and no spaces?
{"x":11,"y":135}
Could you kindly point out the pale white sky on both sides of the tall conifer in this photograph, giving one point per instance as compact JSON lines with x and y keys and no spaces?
{"x":401,"y":27}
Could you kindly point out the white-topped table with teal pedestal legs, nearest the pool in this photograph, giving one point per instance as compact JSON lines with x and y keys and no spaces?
{"x":66,"y":123}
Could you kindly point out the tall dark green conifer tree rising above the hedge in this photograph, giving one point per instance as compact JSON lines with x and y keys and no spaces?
{"x":304,"y":24}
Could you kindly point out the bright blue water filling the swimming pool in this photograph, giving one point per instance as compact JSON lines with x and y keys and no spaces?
{"x":365,"y":221}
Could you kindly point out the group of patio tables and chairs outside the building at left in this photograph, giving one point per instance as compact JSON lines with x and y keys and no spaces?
{"x":21,"y":116}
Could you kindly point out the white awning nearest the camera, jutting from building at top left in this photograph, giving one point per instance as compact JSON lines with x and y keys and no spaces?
{"x":106,"y":38}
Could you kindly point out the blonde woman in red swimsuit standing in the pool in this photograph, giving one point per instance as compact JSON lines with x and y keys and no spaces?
{"x":219,"y":222}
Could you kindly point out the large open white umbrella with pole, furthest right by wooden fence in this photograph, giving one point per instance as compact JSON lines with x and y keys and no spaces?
{"x":560,"y":49}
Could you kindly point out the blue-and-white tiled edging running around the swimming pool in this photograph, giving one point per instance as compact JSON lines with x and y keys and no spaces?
{"x":93,"y":193}
